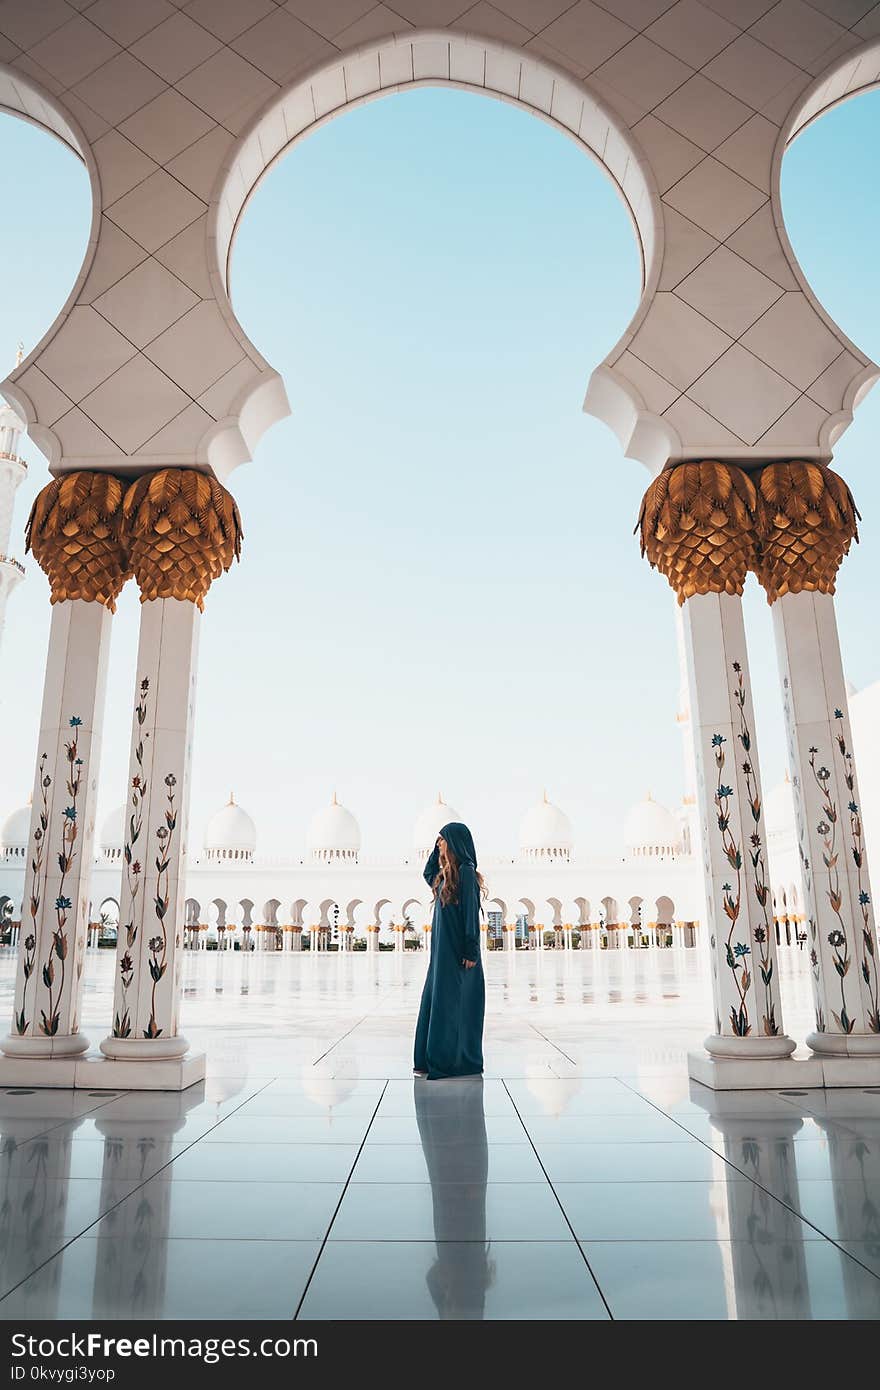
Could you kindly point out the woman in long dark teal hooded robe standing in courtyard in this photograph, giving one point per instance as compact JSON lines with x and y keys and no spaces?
{"x":450,"y":1029}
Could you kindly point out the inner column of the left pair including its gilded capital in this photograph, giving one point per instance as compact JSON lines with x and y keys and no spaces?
{"x":183,"y":532}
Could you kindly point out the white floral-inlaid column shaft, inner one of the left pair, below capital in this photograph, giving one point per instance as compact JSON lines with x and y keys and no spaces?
{"x":147,"y":1001}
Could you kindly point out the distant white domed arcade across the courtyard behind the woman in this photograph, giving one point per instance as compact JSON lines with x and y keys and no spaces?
{"x":333,"y":889}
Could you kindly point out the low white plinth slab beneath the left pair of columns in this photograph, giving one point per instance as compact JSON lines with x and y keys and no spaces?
{"x":101,"y":1074}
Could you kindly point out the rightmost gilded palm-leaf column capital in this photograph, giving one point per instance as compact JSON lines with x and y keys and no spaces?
{"x":807,"y":522}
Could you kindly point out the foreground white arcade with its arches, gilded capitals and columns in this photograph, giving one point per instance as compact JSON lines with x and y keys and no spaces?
{"x":732,"y":386}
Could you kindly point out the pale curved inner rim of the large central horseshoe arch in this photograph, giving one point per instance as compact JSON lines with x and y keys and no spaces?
{"x":397,"y":63}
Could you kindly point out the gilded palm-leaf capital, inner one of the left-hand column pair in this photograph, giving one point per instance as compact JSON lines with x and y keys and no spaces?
{"x":183,"y":530}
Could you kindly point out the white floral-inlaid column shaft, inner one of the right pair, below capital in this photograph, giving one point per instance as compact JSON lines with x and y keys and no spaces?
{"x":749,"y":1020}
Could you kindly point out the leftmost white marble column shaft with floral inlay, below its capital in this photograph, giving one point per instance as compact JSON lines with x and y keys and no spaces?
{"x":60,"y":844}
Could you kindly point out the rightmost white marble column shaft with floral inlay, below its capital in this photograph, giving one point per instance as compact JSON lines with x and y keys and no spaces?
{"x":840,"y":922}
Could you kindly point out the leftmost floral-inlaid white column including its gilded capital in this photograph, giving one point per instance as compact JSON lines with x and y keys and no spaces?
{"x":74,"y":532}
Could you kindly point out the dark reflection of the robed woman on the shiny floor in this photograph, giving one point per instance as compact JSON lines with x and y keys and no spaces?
{"x":451,"y":1122}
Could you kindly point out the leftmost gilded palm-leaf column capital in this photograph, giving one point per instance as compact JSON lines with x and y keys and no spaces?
{"x":74,"y":533}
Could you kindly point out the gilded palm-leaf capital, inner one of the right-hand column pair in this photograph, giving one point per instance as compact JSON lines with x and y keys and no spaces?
{"x":699,"y":528}
